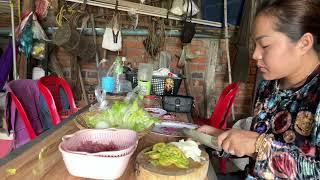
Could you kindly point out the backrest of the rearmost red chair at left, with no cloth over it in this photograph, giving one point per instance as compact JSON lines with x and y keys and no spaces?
{"x":57,"y":86}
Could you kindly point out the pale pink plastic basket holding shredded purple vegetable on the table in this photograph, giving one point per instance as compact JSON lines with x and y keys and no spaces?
{"x":98,"y":166}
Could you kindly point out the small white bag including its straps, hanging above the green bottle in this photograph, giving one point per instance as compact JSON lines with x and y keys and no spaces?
{"x":112,"y":39}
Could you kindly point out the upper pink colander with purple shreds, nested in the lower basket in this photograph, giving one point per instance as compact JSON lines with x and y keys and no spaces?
{"x":100,"y":142}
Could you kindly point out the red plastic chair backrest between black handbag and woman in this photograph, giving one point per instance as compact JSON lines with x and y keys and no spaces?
{"x":221,"y":113}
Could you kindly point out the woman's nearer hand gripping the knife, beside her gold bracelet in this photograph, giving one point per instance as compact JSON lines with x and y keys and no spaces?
{"x":238,"y":142}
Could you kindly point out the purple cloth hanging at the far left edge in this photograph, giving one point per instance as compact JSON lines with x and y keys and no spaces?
{"x":6,"y":61}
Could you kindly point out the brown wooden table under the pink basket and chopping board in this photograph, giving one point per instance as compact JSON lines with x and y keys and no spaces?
{"x":44,"y":161}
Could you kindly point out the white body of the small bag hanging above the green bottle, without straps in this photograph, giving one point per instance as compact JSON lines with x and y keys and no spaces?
{"x":112,"y":40}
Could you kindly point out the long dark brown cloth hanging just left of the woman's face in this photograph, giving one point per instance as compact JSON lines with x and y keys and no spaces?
{"x":240,"y":67}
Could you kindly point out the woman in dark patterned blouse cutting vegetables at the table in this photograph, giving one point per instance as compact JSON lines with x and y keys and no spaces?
{"x":284,"y":139}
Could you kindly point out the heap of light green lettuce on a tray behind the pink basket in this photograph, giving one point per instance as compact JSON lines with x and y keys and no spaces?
{"x":120,"y":115}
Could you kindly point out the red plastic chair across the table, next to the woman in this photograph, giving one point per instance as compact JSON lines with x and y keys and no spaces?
{"x":220,"y":115}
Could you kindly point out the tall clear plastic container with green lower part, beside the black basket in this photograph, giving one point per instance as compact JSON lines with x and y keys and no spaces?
{"x":144,"y":78}
